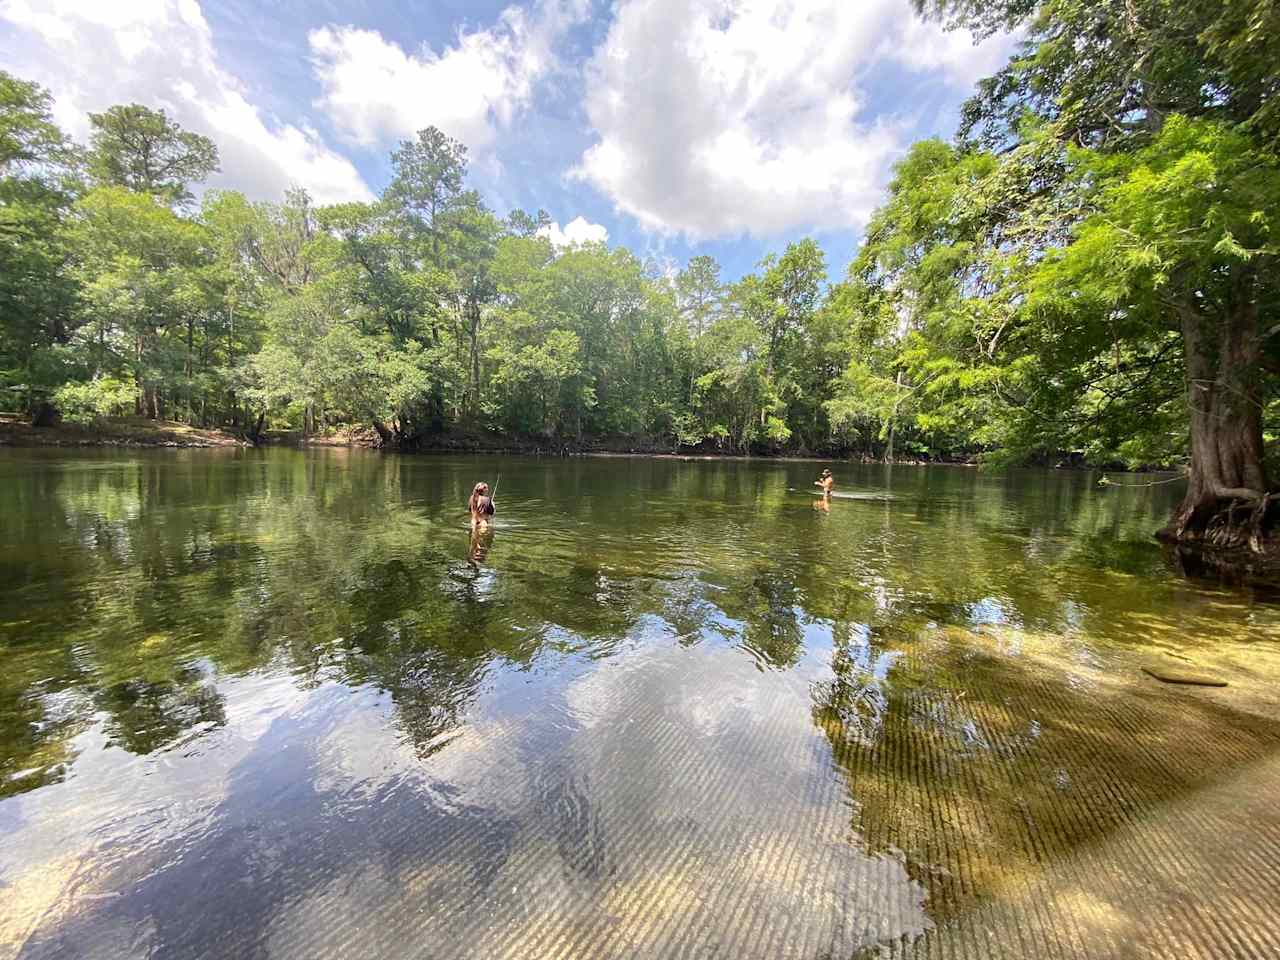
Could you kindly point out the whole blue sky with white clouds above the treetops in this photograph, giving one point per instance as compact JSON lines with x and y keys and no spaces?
{"x":674,"y":127}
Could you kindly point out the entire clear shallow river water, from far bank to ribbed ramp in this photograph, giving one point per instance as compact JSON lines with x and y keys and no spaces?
{"x":282,"y":705}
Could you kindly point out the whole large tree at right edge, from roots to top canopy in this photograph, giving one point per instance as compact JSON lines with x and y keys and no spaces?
{"x":1141,"y":132}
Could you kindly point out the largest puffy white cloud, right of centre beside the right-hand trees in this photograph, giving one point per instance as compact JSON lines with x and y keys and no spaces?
{"x":728,"y":117}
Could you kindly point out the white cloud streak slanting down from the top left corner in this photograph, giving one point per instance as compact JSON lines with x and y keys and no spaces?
{"x":161,"y":53}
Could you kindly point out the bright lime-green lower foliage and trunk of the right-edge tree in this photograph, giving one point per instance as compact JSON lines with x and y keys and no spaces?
{"x":1181,"y":244}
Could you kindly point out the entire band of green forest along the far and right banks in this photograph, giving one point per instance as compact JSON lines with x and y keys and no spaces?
{"x":1085,"y":272}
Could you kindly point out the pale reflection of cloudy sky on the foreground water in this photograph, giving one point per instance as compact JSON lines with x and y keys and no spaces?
{"x":684,"y":775}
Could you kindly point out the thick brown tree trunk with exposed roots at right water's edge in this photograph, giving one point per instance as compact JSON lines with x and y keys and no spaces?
{"x":1227,"y":492}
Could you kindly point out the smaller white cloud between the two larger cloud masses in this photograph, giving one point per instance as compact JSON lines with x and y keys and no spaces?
{"x":374,"y":92}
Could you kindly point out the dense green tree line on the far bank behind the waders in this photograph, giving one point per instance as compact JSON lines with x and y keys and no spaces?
{"x":414,"y":314}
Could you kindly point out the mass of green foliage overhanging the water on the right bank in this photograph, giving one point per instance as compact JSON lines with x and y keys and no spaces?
{"x":1092,"y":273}
